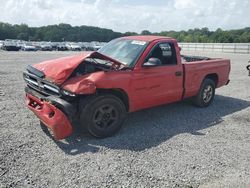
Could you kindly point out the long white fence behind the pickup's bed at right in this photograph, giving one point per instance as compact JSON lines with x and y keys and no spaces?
{"x":241,"y":48}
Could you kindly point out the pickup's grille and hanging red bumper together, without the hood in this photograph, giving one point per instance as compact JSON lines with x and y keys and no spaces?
{"x":47,"y":103}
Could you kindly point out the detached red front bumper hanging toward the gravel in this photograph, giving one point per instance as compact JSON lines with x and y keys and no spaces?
{"x":48,"y":112}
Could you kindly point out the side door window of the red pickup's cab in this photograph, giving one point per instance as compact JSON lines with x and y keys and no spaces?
{"x":164,"y":52}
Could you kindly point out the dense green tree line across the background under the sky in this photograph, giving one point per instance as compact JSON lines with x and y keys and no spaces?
{"x":66,"y":32}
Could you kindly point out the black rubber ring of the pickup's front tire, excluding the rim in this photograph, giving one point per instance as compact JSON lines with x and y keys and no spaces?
{"x":89,"y":105}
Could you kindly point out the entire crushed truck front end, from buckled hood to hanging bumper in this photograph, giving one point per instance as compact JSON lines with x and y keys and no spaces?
{"x":54,"y":88}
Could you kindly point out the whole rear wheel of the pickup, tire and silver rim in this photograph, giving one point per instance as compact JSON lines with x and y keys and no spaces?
{"x":206,"y":94}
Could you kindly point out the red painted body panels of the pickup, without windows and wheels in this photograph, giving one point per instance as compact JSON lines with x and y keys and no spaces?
{"x":145,"y":87}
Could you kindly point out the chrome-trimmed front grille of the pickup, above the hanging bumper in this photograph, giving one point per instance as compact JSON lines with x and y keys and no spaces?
{"x":41,"y":85}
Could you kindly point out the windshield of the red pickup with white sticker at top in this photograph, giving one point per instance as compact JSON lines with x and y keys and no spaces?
{"x":124,"y":50}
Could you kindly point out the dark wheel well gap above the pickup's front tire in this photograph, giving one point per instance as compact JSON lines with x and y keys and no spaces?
{"x":118,"y":93}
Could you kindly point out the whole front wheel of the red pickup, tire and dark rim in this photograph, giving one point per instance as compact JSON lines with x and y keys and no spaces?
{"x":102,"y":115}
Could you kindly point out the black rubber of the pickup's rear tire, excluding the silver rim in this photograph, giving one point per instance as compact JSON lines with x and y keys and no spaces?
{"x":198,"y":99}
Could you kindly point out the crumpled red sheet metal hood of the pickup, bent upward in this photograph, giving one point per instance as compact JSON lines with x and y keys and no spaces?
{"x":59,"y":70}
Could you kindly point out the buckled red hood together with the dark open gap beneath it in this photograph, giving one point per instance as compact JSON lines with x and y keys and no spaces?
{"x":60,"y":70}
